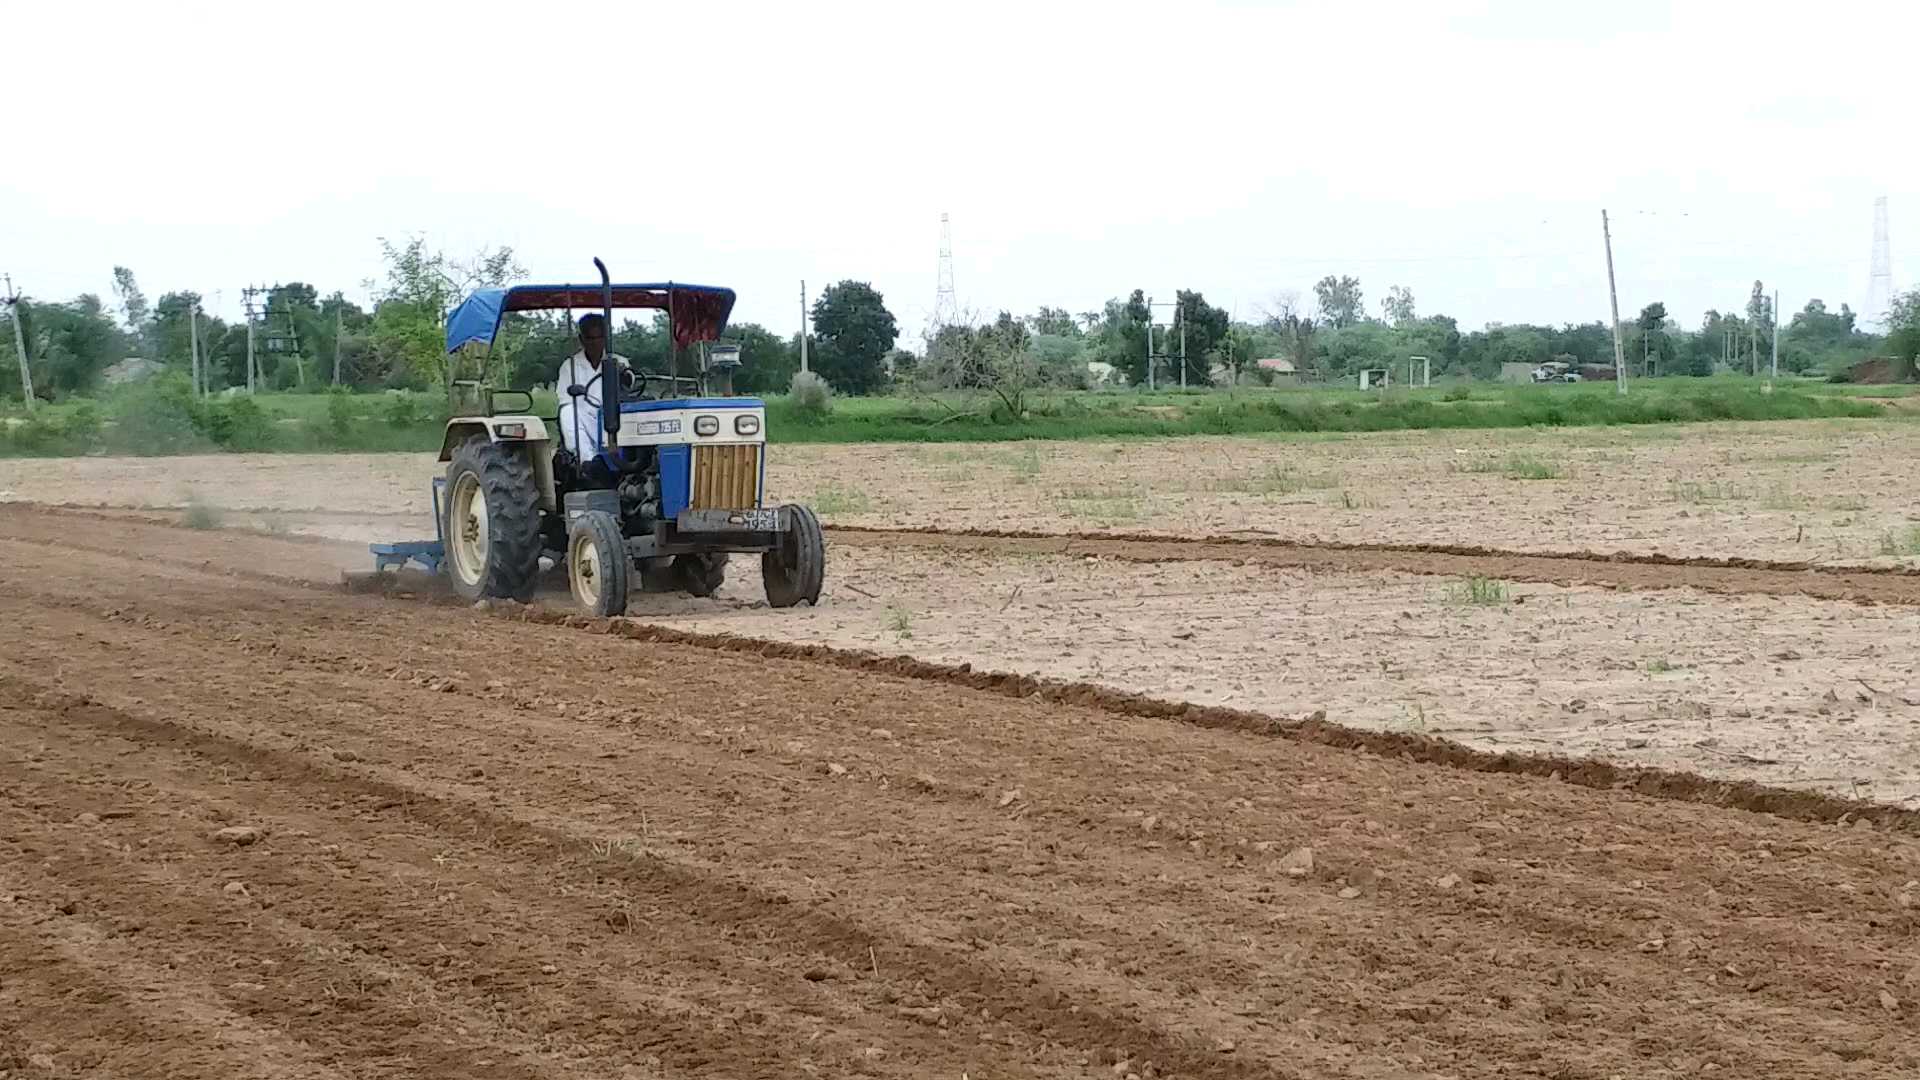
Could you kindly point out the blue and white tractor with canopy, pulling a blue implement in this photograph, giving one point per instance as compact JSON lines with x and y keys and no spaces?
{"x":667,"y":487}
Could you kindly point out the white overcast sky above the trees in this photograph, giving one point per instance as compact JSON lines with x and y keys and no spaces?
{"x":1241,"y":149}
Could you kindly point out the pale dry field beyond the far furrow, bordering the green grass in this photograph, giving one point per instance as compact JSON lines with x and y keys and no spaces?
{"x":1802,"y":491}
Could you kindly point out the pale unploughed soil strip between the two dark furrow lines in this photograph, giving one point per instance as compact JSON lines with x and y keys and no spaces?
{"x":1714,"y":670}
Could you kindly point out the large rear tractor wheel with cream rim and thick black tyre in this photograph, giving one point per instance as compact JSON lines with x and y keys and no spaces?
{"x":492,"y":522}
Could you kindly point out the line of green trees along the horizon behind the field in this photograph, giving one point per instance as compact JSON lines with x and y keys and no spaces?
{"x":310,"y":341}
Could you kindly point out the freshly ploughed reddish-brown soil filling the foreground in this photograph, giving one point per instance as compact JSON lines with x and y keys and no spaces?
{"x":468,"y":862}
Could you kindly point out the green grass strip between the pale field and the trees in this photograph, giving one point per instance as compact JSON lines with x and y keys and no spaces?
{"x":155,"y":420}
